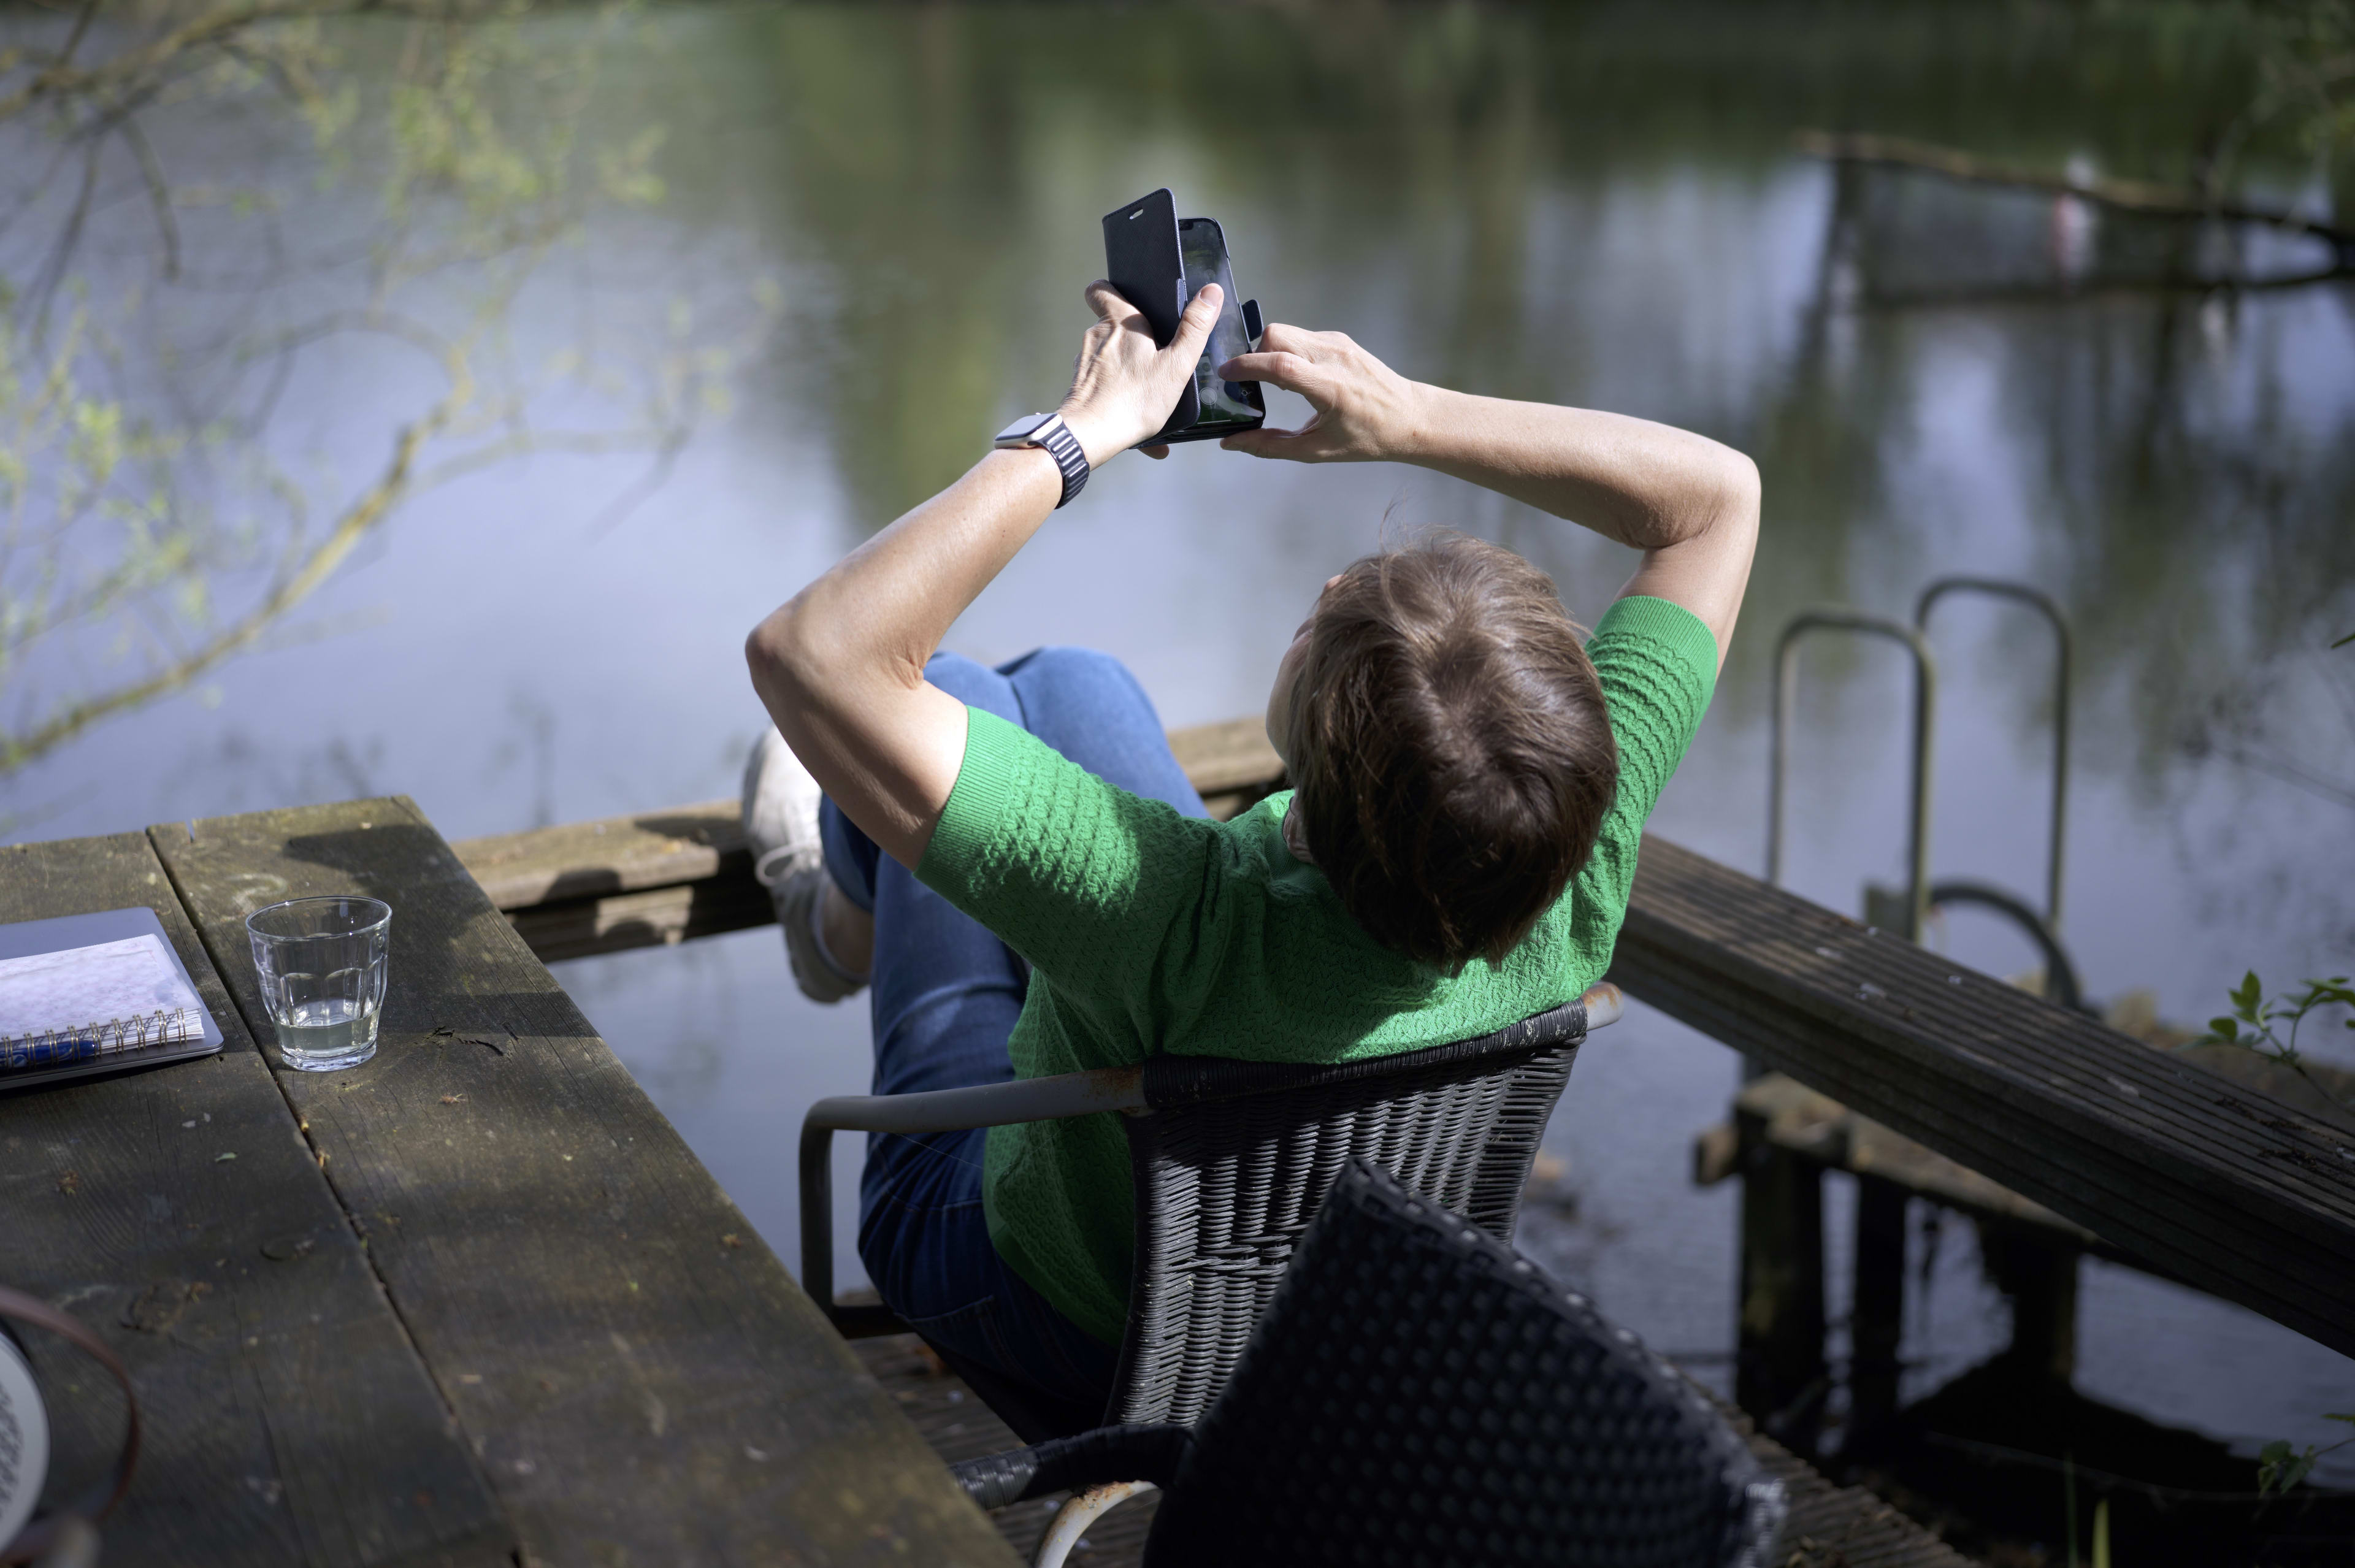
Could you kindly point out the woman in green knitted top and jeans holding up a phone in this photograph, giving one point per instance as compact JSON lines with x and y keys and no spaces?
{"x":1026,"y":879}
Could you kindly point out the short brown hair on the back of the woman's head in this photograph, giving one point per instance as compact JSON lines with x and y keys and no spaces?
{"x":1452,"y":755}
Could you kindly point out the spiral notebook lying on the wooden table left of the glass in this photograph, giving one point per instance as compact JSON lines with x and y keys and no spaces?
{"x":95,"y":995}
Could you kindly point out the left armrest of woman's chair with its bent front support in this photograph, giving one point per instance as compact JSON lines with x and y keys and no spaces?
{"x":988,"y":1105}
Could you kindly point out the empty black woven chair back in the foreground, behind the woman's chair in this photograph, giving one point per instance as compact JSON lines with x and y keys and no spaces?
{"x":1424,"y":1395}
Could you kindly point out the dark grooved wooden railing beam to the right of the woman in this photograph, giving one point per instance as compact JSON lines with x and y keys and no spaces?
{"x":2213,"y":1183}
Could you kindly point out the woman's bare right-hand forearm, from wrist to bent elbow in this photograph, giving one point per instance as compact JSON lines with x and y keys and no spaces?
{"x":1650,"y":486}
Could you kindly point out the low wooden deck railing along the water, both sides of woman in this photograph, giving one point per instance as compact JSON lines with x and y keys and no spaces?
{"x":2165,"y":1164}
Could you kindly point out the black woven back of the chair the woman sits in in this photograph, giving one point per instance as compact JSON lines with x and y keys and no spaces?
{"x":1238,"y":1157}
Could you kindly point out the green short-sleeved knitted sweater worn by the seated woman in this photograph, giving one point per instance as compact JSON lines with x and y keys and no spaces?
{"x":1150,"y":931}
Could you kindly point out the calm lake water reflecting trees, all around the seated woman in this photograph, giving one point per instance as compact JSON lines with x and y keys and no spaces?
{"x":873,"y":232}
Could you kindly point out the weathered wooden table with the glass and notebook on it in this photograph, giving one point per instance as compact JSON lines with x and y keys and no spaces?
{"x":467,"y":1303}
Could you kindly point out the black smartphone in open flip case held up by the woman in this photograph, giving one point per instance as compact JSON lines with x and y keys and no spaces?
{"x":1160,"y":263}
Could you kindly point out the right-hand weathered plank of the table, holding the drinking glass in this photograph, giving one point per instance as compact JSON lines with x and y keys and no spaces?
{"x":639,"y":1376}
